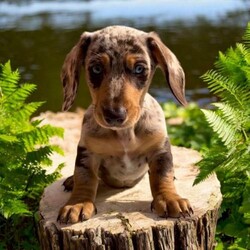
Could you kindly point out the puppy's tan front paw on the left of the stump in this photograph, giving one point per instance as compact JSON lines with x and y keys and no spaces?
{"x":77,"y":212}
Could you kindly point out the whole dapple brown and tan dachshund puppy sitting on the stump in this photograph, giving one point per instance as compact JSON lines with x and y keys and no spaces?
{"x":123,"y":131}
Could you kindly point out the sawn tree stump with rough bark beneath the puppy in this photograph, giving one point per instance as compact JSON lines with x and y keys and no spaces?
{"x":124,"y":219}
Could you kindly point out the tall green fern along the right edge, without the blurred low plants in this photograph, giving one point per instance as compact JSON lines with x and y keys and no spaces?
{"x":230,"y":156}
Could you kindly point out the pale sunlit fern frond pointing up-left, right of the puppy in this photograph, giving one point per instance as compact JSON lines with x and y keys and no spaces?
{"x":224,"y":130}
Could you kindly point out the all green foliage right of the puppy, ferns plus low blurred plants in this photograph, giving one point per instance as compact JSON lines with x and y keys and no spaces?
{"x":226,"y":149}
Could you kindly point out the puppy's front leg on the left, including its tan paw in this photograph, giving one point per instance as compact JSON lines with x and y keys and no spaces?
{"x":81,"y":206}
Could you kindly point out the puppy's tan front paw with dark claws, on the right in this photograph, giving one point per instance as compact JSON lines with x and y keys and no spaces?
{"x":171,"y":206}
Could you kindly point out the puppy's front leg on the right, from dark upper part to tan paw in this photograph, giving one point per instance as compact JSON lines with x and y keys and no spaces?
{"x":166,"y":201}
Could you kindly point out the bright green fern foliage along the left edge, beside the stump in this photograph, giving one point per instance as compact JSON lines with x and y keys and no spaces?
{"x":24,"y":153}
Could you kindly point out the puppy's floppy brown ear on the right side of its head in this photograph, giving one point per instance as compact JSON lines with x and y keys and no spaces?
{"x":169,"y":64}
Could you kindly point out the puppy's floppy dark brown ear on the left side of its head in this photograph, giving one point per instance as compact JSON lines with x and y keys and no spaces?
{"x":71,"y":69}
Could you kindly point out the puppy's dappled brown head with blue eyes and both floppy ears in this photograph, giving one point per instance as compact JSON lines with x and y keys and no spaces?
{"x":119,"y":63}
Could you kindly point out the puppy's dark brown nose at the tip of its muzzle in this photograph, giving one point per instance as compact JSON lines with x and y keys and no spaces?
{"x":115,"y":116}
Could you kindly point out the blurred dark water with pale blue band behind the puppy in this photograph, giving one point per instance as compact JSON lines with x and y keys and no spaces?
{"x":36,"y":35}
